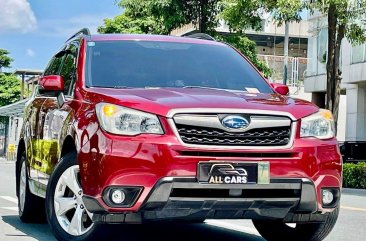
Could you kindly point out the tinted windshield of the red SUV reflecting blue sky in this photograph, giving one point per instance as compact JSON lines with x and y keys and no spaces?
{"x":151,"y":64}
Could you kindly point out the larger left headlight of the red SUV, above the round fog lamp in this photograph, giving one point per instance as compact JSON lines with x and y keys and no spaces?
{"x":124,"y":121}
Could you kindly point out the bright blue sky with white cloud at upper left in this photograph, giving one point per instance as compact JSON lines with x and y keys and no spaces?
{"x":34,"y":30}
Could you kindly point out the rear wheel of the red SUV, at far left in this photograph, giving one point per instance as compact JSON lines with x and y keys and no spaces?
{"x":31,"y":207}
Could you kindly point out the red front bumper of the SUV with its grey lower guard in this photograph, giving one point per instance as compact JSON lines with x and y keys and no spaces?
{"x":150,"y":161}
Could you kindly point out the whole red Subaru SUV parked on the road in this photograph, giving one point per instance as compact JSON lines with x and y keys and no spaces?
{"x":140,"y":128}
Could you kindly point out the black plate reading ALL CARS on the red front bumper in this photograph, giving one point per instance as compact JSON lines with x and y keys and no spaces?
{"x":227,"y":173}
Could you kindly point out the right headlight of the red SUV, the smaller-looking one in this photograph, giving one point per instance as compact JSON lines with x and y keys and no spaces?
{"x":319,"y":125}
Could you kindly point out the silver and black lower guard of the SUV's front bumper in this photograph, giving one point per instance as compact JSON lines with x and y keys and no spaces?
{"x":293,"y":200}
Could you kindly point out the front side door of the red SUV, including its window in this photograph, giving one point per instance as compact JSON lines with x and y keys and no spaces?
{"x":54,"y":116}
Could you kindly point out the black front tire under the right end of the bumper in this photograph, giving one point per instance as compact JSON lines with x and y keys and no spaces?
{"x":274,"y":230}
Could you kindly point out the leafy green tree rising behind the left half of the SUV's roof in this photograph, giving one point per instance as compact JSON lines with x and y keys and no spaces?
{"x":163,"y":16}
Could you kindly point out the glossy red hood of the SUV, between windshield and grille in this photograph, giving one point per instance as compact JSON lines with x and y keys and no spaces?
{"x":161,"y":101}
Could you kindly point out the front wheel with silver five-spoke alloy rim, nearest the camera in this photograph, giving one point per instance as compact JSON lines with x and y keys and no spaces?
{"x":71,"y":221}
